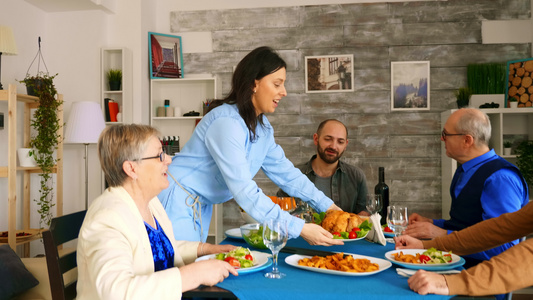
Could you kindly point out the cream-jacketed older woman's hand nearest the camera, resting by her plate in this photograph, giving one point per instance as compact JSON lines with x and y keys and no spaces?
{"x":206,"y":272}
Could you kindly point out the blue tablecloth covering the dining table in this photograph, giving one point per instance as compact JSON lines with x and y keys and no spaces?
{"x":302,"y":284}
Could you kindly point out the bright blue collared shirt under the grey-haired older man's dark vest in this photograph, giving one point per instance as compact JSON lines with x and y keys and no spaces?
{"x":503,"y":192}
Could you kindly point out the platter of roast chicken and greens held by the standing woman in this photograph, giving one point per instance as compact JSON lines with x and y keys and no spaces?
{"x":344,"y":226}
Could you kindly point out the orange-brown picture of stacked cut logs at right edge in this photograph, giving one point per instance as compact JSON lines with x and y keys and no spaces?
{"x":520,"y":83}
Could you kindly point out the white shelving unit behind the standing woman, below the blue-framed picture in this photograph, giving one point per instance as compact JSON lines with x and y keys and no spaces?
{"x":185,"y":94}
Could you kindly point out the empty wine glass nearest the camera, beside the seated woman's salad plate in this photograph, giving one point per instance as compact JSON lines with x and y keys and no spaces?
{"x":275,"y":237}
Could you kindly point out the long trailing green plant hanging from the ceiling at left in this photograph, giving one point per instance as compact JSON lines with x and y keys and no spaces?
{"x":46,"y":124}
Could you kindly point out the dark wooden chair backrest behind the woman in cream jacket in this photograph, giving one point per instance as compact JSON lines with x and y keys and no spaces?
{"x":62,"y":229}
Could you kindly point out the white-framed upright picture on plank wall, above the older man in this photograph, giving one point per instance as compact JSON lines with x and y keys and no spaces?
{"x":410,"y":85}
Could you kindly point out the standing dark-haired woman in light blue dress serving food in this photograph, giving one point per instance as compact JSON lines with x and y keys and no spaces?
{"x":229,"y":146}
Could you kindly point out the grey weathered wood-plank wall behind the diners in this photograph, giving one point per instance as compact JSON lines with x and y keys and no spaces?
{"x":407,"y":144}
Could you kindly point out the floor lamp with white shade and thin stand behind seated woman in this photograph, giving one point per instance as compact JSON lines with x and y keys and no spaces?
{"x":84,"y":125}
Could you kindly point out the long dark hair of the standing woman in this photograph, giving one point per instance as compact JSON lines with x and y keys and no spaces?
{"x":255,"y":65}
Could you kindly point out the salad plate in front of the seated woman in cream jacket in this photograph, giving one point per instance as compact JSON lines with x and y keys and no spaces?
{"x":244,"y":260}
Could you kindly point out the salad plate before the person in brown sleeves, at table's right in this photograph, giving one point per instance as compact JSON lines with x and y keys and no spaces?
{"x":430,"y":259}
